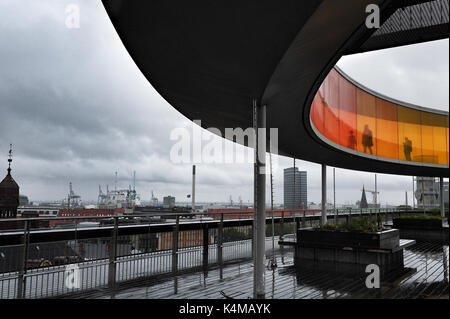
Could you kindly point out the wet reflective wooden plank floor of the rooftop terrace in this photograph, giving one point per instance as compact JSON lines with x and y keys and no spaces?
{"x":425,"y":275}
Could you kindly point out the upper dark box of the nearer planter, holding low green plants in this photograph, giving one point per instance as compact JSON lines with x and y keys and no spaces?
{"x":388,"y":239}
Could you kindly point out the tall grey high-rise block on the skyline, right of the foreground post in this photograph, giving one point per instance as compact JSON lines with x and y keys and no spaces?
{"x":299,"y":197}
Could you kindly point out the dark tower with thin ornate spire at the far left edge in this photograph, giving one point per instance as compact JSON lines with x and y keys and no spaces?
{"x":9,"y":193}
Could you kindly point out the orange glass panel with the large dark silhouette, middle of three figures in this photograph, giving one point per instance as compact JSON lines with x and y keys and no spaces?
{"x":366,"y":122}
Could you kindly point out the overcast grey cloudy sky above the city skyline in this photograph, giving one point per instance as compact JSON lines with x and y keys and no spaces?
{"x":77,"y":109}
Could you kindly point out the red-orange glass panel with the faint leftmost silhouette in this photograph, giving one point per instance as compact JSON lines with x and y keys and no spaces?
{"x":347,"y":114}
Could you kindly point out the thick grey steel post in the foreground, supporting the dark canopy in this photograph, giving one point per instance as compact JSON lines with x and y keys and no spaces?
{"x":260,"y":200}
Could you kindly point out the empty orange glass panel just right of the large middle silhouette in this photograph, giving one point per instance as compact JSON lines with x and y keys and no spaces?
{"x":387,"y":129}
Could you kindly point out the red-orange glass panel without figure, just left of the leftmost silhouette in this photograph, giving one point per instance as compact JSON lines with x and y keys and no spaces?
{"x":331,"y":107}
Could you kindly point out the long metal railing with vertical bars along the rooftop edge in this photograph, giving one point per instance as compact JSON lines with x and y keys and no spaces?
{"x":39,"y":262}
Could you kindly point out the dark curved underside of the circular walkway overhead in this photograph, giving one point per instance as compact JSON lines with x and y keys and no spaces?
{"x":210,"y":58}
